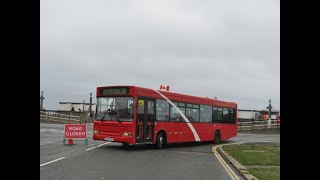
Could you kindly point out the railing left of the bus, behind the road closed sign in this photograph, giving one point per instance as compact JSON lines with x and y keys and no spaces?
{"x":63,"y":116}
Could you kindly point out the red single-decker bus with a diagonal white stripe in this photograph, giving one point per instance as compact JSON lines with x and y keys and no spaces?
{"x":135,"y":115}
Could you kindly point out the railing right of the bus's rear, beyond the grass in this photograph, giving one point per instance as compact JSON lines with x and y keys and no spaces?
{"x":258,"y":125}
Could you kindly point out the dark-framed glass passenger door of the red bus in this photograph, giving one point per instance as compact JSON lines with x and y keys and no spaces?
{"x":145,"y":120}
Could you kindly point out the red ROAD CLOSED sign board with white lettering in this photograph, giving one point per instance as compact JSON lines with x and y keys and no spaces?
{"x":72,"y":131}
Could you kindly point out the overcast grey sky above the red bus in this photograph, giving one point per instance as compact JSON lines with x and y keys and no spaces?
{"x":227,"y":48}
